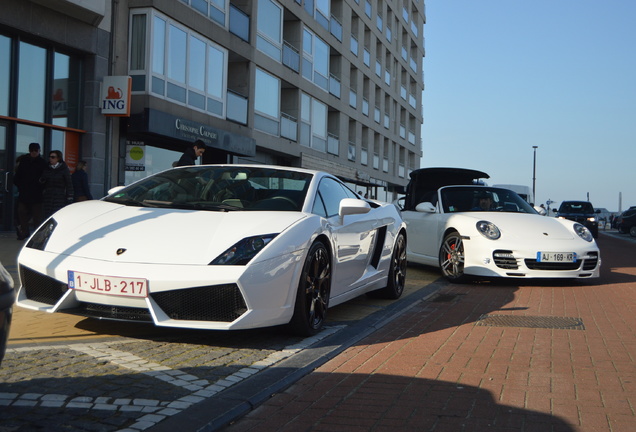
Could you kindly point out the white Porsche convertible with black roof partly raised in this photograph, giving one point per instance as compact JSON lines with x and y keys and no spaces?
{"x":468,"y":229}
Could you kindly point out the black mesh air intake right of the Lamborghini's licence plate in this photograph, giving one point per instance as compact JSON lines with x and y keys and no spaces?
{"x":209,"y":303}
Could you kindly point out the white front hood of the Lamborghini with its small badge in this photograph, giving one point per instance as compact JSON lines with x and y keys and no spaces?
{"x":106,"y":231}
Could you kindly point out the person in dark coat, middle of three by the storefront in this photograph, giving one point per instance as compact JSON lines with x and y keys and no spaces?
{"x":58,"y":186}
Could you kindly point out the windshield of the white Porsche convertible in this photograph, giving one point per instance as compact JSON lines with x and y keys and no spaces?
{"x":480,"y":199}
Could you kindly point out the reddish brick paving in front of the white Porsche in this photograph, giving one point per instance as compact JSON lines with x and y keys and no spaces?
{"x":436,"y":368}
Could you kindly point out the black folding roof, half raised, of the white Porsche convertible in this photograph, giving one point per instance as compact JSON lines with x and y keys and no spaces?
{"x":426,"y":181}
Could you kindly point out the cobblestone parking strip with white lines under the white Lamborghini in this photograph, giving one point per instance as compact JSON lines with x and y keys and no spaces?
{"x":61,"y":373}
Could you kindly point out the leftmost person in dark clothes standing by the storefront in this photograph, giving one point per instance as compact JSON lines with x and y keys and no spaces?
{"x":28,"y":171}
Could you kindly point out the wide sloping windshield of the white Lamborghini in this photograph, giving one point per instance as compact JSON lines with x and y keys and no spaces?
{"x":220,"y":188}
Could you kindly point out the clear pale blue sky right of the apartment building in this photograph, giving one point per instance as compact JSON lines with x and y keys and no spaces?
{"x":502,"y":76}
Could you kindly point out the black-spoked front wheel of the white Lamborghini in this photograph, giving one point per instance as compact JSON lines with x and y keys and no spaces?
{"x":314,"y":288}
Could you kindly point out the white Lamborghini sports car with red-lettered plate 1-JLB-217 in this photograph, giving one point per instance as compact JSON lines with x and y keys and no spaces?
{"x":216,"y":247}
